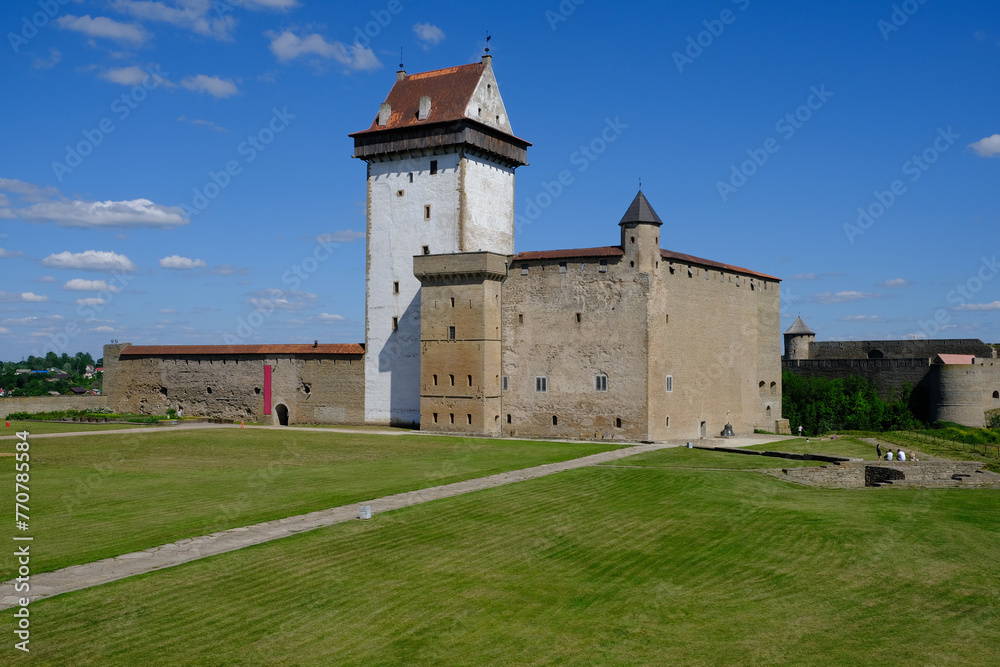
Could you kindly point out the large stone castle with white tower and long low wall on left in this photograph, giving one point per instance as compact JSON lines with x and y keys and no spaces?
{"x":627,"y":341}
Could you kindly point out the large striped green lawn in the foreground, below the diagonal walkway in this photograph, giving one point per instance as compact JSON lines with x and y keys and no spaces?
{"x":592,"y":566}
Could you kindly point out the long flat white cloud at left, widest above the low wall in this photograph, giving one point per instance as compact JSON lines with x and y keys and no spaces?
{"x":126,"y":213}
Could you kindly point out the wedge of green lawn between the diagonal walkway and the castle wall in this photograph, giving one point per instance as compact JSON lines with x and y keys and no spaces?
{"x":98,"y":496}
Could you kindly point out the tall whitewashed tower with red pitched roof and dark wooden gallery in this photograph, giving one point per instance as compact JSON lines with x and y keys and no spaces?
{"x":441,"y":158}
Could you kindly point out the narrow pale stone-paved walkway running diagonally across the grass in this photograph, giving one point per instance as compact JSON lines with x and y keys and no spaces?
{"x":76,"y":577}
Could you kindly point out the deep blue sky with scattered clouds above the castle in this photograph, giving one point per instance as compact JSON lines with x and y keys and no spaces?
{"x":180,"y":172}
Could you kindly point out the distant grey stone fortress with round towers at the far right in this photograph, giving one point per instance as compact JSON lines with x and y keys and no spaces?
{"x":955,"y":380}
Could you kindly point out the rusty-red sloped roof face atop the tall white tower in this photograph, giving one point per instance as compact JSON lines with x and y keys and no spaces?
{"x":450,"y":90}
